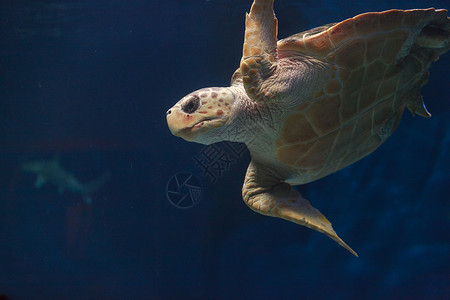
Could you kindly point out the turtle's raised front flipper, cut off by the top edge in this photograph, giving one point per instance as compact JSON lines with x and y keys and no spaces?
{"x":259,"y":50}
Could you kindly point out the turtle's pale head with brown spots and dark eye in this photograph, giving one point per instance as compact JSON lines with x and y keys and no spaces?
{"x":202,"y":115}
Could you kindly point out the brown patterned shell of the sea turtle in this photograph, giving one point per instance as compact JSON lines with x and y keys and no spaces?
{"x":376,"y":66}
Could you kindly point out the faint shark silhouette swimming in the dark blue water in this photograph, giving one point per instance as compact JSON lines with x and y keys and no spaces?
{"x":52,"y":172}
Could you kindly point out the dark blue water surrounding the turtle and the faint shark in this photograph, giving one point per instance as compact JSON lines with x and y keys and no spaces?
{"x":92,"y":80}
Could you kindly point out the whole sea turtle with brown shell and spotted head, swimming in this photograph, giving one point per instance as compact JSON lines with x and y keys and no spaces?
{"x":315,"y":102}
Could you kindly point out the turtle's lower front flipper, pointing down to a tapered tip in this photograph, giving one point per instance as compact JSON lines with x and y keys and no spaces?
{"x":265,"y":194}
